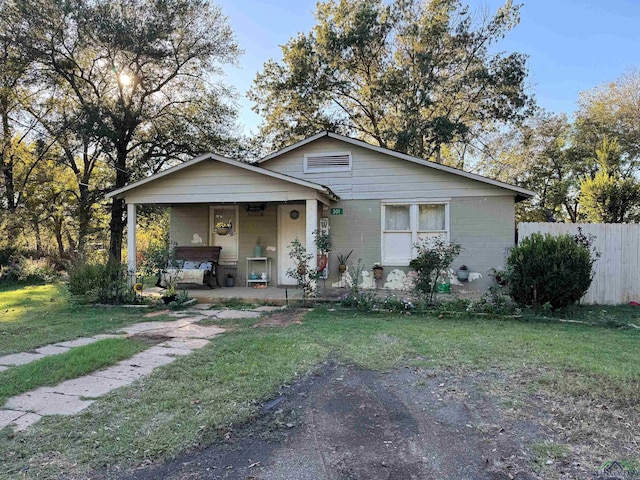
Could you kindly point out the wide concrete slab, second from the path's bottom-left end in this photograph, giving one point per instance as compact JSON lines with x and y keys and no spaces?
{"x":45,"y":402}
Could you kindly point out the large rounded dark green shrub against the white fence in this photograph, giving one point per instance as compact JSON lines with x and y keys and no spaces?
{"x":550,"y":269}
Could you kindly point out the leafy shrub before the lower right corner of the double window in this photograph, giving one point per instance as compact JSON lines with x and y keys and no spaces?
{"x":434,"y":257}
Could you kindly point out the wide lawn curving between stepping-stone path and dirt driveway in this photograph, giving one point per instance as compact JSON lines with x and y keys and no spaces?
{"x":198,"y":398}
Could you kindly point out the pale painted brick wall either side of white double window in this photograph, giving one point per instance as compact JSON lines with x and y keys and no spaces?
{"x":483,"y":225}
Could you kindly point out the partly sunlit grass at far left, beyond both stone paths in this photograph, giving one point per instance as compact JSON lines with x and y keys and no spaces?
{"x":35,"y":315}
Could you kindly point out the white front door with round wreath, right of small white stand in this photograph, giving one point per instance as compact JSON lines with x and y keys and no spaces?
{"x":291,"y":225}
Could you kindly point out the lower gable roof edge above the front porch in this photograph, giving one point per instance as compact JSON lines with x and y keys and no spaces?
{"x":229,"y":161}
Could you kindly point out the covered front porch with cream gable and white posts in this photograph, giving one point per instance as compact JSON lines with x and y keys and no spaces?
{"x":262,"y":208}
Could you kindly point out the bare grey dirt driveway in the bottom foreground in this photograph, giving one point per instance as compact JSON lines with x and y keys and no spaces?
{"x":346,"y":423}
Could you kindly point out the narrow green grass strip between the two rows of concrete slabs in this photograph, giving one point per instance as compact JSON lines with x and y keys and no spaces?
{"x":76,"y":362}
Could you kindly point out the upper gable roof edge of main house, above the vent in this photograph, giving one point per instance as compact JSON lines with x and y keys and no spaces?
{"x":521,"y":193}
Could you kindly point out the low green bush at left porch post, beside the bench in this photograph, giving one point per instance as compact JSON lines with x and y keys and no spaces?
{"x":101,"y":283}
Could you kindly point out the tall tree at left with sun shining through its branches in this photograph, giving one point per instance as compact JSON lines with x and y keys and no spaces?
{"x":138,"y":74}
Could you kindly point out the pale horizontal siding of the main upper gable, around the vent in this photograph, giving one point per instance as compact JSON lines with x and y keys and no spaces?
{"x":378,"y":176}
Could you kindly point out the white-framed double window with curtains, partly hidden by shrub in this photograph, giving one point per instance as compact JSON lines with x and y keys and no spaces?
{"x":404,"y":225}
